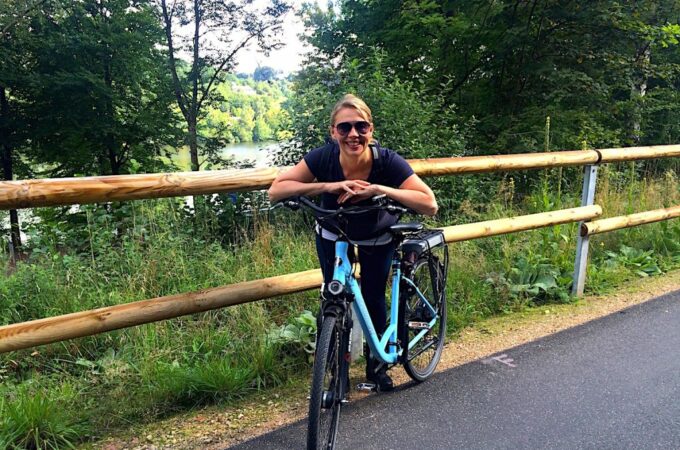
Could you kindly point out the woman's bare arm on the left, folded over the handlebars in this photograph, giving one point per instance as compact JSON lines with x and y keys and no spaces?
{"x":300,"y":181}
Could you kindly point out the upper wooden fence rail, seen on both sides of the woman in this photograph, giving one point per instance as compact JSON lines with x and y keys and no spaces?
{"x":68,"y":191}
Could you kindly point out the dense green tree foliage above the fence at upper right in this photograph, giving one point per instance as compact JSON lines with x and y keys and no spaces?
{"x":605,"y":71}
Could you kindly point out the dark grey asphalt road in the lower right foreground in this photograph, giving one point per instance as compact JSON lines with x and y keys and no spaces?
{"x":613,"y":383}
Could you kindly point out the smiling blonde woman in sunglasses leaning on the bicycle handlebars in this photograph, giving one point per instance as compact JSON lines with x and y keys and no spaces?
{"x":350,"y":169}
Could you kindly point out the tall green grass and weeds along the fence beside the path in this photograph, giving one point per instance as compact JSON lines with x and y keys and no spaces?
{"x":64,"y":393}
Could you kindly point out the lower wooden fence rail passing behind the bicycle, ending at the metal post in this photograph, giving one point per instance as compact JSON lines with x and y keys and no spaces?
{"x":86,"y":323}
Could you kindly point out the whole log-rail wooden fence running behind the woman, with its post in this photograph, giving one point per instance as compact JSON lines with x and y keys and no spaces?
{"x":51,"y":192}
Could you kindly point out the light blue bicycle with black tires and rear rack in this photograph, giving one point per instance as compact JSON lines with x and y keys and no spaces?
{"x":417,"y":327}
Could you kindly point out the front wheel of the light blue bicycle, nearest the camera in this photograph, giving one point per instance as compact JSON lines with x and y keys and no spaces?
{"x":325,"y":401}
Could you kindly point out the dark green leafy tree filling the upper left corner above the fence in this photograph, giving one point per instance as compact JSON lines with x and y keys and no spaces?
{"x":82,"y":90}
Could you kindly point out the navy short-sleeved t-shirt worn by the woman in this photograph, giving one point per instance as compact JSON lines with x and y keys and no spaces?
{"x":389,"y":169}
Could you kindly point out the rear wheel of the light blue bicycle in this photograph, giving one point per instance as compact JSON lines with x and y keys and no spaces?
{"x":421,"y":361}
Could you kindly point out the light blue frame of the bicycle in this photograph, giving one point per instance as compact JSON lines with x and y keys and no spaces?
{"x":343,"y":274}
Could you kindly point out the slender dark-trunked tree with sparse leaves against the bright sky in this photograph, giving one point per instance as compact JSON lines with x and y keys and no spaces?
{"x":219,"y":30}
